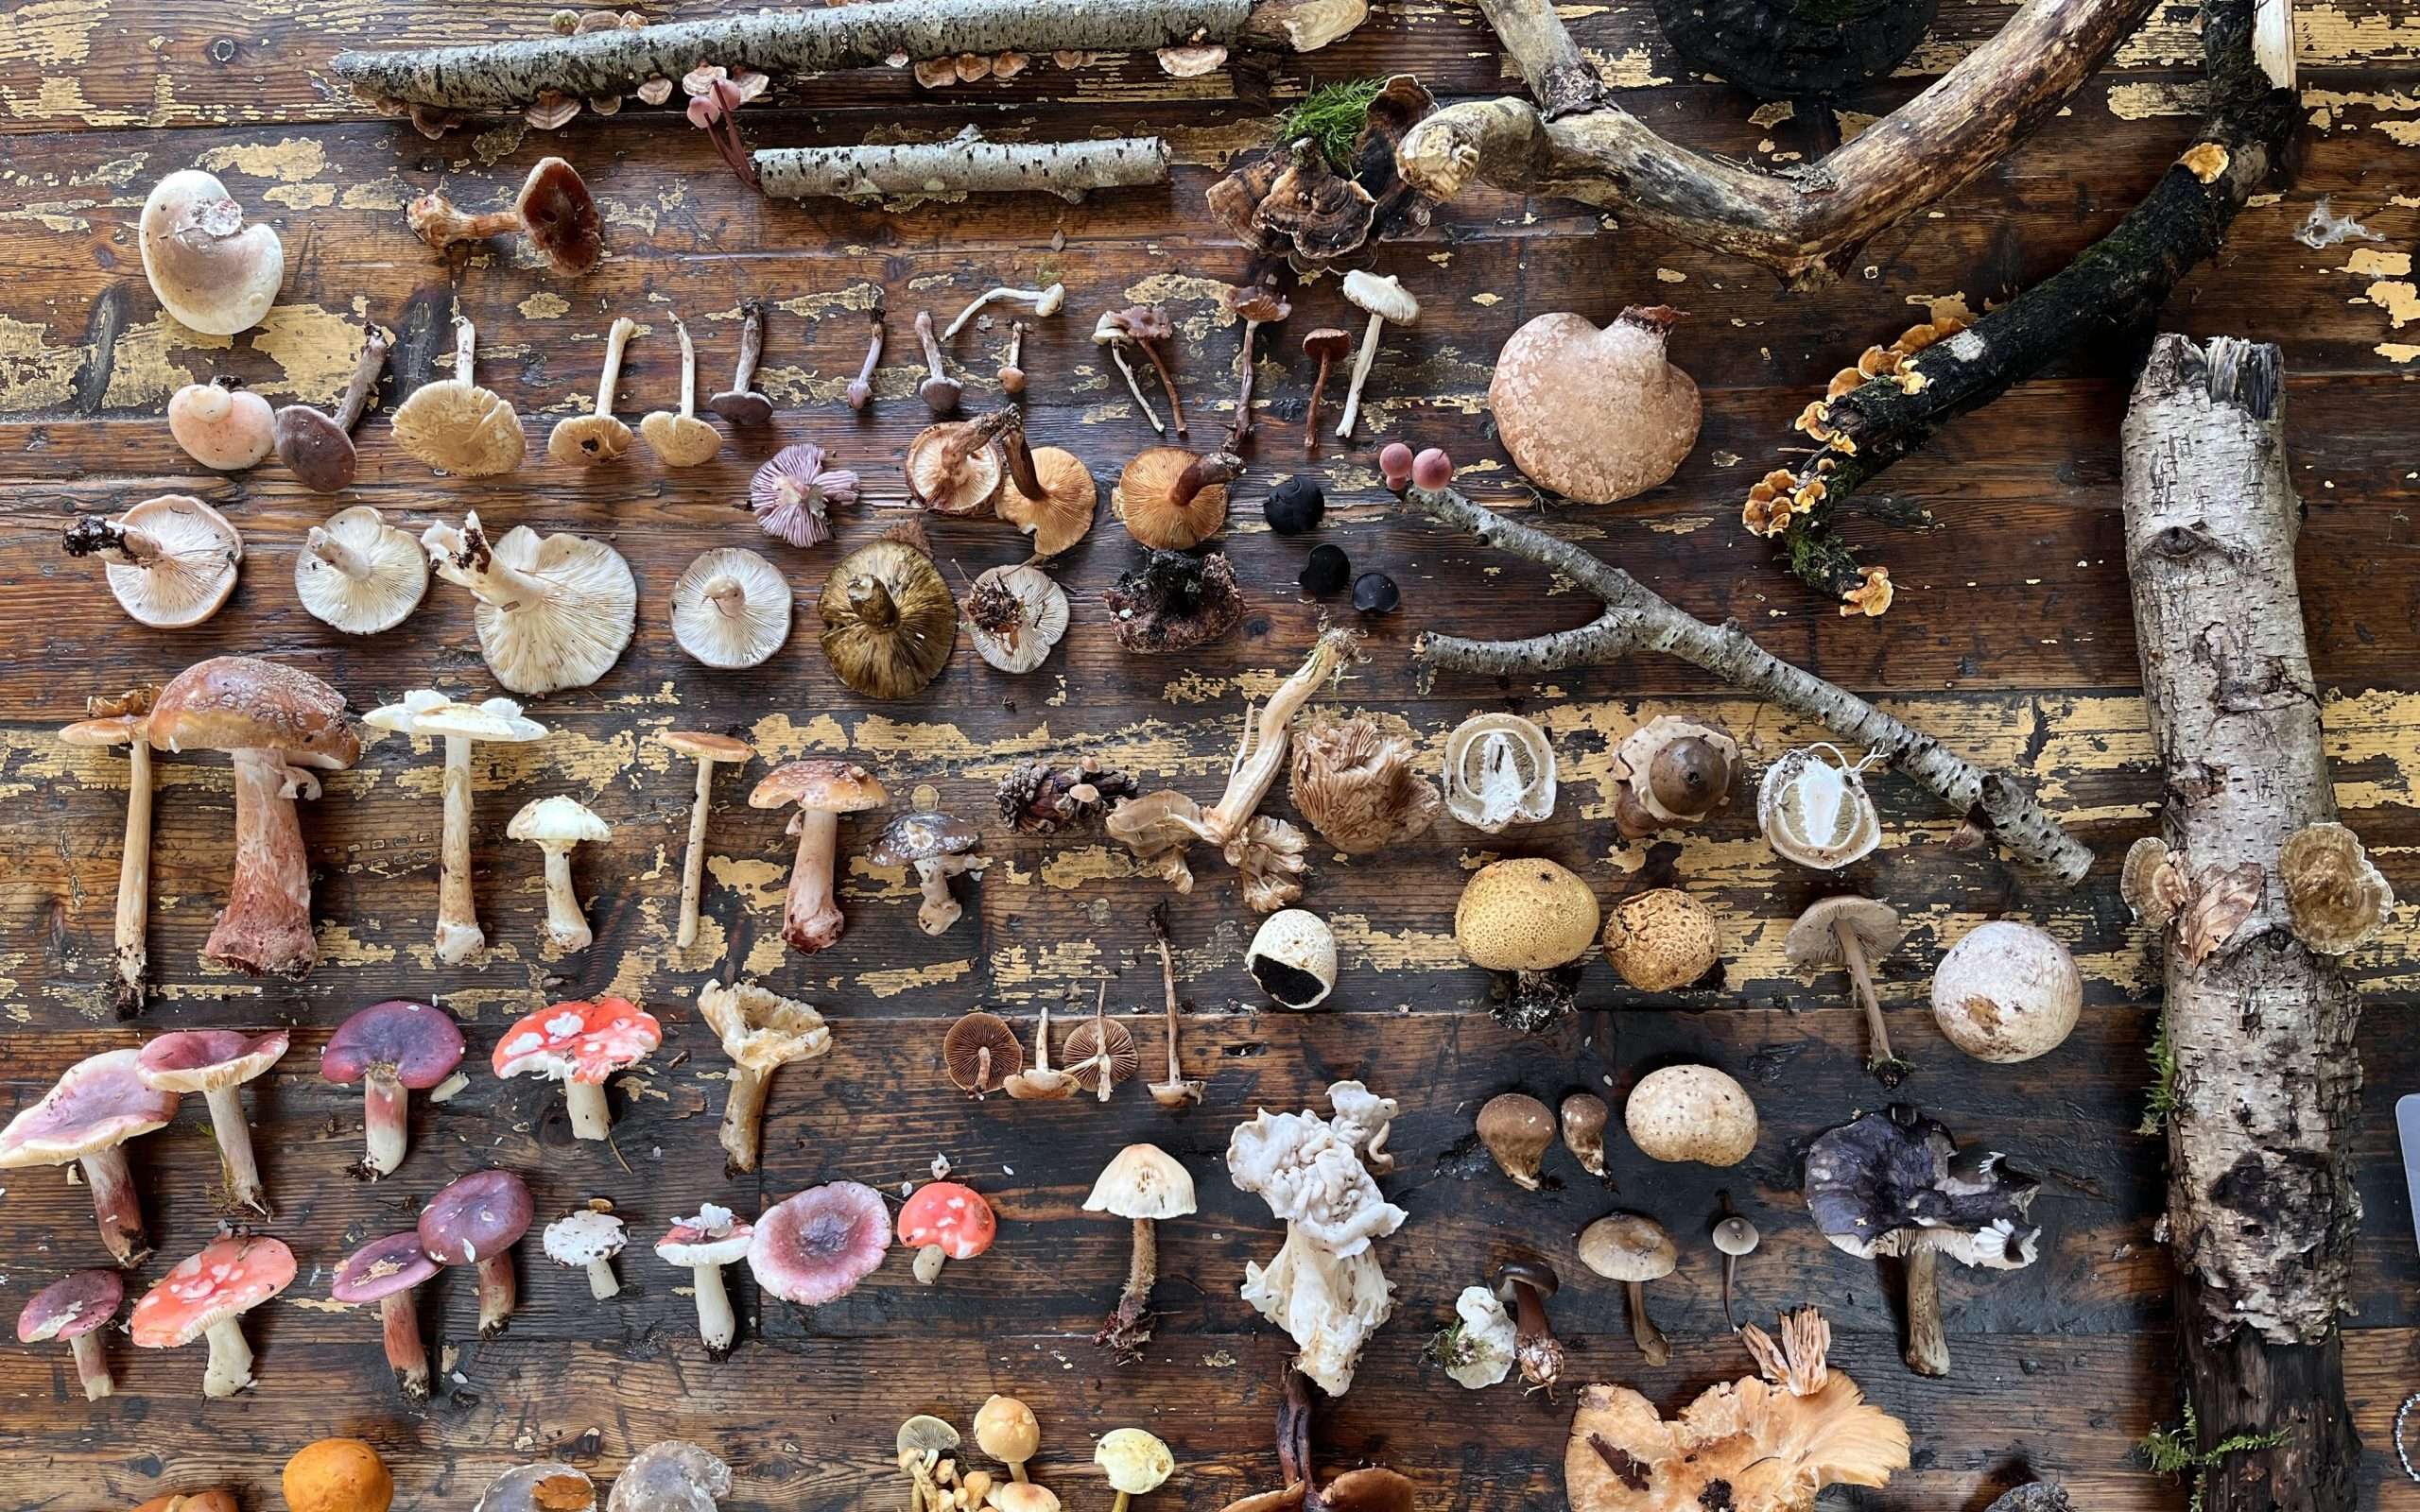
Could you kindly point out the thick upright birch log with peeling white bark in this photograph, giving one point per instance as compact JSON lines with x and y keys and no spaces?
{"x":2259,"y":1027}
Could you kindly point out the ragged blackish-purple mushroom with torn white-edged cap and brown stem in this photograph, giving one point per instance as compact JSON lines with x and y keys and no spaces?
{"x":1894,"y":1184}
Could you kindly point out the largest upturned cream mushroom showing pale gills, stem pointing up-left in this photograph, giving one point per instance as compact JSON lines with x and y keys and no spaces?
{"x":553,"y":611}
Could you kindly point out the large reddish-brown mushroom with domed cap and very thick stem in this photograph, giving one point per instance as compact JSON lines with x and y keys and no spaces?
{"x":280,"y":725}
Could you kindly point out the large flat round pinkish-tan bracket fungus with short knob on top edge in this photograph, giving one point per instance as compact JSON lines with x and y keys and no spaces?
{"x":1637,"y":425}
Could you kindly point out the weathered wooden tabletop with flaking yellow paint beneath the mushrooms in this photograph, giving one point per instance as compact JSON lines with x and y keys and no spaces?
{"x":2010,"y":640}
